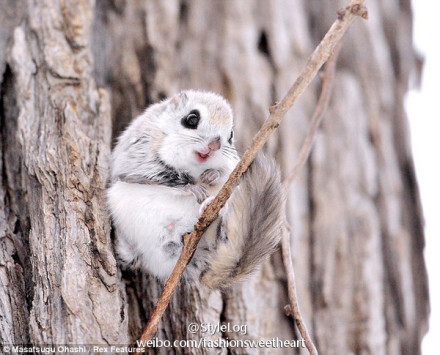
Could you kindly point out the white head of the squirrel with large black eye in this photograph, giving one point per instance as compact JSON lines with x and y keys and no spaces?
{"x":197,"y":132}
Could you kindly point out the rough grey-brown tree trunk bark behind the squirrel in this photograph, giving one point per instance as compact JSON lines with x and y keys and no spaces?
{"x":70,"y":70}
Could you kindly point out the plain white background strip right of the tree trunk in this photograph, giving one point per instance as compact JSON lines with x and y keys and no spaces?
{"x":423,"y":108}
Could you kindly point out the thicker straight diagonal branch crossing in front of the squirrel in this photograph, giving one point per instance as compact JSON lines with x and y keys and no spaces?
{"x":277,"y":112}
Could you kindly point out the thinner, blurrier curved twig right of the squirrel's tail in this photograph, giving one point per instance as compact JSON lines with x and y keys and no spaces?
{"x":324,"y":99}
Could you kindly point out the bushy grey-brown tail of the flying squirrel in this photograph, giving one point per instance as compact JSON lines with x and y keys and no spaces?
{"x":250,"y":227}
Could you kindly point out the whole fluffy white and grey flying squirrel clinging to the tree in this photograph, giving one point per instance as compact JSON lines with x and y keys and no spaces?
{"x":166,"y":166}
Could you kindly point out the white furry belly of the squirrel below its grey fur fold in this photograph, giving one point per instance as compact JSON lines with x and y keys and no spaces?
{"x":150,"y":221}
